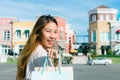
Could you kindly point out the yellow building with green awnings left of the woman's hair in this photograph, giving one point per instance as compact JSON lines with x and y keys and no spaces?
{"x":20,"y":34}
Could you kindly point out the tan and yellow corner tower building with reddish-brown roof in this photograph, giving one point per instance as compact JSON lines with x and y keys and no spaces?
{"x":99,"y":28}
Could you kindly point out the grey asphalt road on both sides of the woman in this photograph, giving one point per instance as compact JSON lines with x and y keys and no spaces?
{"x":81,"y":72}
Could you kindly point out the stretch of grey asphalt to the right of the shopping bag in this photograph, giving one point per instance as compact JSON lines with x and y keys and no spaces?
{"x":96,"y":72}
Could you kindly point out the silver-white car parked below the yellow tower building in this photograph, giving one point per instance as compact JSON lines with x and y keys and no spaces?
{"x":100,"y":60}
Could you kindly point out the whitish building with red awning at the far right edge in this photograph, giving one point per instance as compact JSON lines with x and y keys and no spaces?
{"x":115,"y":36}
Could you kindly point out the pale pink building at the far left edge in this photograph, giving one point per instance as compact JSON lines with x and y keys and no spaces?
{"x":6,"y":34}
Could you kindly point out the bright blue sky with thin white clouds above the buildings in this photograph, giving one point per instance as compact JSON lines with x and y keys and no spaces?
{"x":74,"y":11}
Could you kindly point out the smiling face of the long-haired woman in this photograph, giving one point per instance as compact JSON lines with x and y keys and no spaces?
{"x":49,"y":35}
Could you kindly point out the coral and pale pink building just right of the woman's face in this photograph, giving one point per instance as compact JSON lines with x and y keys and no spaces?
{"x":66,"y":37}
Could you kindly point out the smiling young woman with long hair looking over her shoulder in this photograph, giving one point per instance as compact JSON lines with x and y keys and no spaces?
{"x":38,"y":46}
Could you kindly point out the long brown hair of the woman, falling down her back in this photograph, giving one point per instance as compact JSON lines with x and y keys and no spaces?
{"x":31,"y":44}
